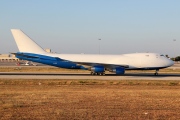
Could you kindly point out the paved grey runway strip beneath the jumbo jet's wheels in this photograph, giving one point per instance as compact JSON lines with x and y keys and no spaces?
{"x":85,"y":76}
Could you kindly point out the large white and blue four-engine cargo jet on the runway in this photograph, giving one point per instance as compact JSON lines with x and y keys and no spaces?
{"x":96,"y":63}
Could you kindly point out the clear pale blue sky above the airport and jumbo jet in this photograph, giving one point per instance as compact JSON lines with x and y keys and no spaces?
{"x":74,"y":26}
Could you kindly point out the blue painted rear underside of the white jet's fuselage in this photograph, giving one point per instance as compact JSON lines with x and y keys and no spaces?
{"x":53,"y":61}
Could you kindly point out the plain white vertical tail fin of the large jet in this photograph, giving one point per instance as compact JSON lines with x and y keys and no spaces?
{"x":24,"y":43}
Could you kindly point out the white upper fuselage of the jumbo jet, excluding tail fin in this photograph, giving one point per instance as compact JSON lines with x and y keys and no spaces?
{"x":134,"y":60}
